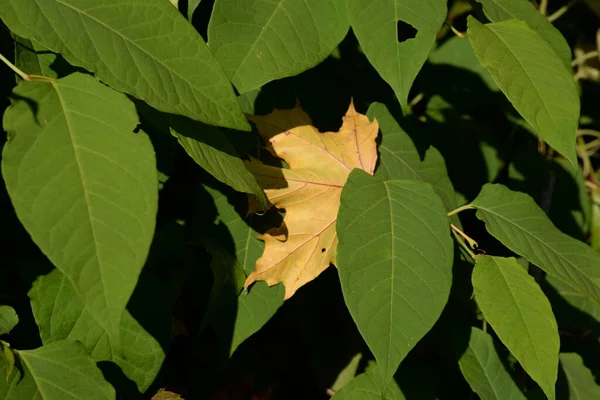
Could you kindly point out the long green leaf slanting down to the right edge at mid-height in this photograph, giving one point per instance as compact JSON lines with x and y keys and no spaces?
{"x":514,"y":219}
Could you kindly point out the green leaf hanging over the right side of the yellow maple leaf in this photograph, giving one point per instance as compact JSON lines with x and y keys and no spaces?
{"x":394,"y":260}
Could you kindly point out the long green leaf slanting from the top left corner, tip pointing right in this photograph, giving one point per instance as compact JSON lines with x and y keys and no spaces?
{"x":143,"y":48}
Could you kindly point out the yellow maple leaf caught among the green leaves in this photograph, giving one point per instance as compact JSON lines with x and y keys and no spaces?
{"x":309,"y":190}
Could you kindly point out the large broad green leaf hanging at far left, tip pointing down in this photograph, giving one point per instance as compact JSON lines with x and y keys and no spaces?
{"x":84,"y":185}
